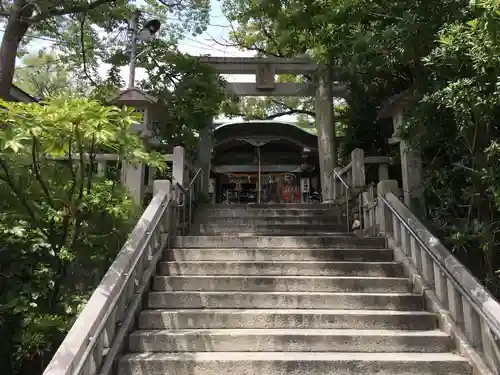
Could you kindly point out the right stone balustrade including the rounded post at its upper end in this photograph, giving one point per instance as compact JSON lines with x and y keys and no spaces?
{"x":465,"y":309}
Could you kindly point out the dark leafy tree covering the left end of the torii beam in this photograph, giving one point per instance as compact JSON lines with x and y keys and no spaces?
{"x":191,"y":94}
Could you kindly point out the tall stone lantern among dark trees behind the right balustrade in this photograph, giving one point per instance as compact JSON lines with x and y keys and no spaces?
{"x":411,"y":159}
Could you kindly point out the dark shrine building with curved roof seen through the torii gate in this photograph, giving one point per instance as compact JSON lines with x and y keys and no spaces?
{"x":264,"y":162}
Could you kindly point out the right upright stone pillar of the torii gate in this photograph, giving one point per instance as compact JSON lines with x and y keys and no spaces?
{"x":326,"y":131}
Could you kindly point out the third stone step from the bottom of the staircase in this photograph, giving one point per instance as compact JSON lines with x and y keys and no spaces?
{"x":293,"y":318}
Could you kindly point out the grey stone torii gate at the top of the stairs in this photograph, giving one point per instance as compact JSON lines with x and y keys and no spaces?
{"x":265,"y":70}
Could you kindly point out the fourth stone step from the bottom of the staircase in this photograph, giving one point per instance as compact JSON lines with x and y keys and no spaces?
{"x":285,"y":300}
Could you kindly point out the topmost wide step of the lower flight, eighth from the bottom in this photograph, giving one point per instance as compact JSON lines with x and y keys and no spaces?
{"x":277,"y":242}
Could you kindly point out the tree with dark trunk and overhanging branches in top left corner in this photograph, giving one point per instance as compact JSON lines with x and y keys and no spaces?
{"x":76,"y":24}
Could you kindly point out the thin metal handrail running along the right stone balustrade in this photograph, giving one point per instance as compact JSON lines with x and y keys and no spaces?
{"x":493,"y":323}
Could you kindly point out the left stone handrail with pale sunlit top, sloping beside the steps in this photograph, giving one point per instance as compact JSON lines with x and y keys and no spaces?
{"x":96,"y":337}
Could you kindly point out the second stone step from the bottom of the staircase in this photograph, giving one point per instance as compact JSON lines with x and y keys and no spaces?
{"x":289,"y":340}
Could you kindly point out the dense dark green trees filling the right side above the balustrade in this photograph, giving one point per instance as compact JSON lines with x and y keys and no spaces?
{"x":445,"y":54}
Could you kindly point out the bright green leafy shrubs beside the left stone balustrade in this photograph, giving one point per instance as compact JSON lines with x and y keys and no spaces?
{"x":61,"y":223}
